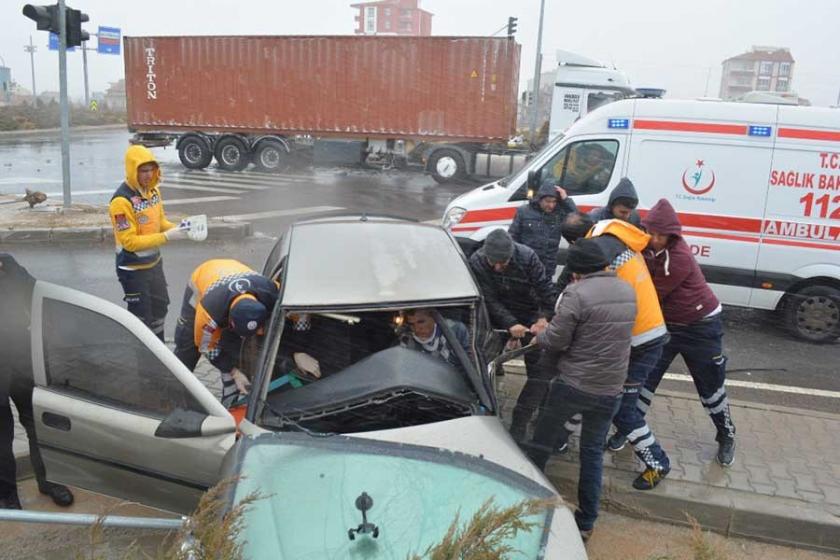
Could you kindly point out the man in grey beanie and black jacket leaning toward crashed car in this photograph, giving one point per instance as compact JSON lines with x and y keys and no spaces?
{"x":518,"y":295}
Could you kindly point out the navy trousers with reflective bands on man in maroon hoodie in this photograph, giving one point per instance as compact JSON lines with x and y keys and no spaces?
{"x":701,"y":346}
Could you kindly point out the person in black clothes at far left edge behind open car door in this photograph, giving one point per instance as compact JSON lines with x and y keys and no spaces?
{"x":16,"y":286}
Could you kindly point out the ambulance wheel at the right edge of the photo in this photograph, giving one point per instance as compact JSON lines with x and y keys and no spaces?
{"x":813,"y":313}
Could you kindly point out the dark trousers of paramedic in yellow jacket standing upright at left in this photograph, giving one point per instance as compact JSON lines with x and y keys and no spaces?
{"x":146,"y":295}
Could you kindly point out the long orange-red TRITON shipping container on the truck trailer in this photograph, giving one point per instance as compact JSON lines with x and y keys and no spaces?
{"x":424,"y":88}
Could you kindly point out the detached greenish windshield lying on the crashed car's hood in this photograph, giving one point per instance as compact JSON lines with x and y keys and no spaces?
{"x":416,"y":493}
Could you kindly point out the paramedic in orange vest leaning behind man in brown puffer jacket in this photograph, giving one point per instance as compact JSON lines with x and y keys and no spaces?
{"x":623,"y":244}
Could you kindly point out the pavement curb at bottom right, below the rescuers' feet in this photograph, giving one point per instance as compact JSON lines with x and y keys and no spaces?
{"x":733,"y":513}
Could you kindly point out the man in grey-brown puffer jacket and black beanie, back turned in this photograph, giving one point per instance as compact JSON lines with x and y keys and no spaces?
{"x":589,"y":342}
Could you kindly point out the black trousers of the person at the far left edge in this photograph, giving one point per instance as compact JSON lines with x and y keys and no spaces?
{"x":20,"y":392}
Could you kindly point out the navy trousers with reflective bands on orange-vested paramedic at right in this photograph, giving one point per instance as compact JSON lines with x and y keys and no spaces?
{"x":630,"y":421}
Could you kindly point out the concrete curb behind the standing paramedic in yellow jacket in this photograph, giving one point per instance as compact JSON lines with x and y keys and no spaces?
{"x":215,"y":232}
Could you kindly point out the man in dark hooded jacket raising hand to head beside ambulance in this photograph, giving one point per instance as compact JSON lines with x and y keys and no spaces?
{"x":539,"y":223}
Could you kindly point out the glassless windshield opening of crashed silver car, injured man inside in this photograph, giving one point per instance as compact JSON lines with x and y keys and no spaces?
{"x":368,"y":370}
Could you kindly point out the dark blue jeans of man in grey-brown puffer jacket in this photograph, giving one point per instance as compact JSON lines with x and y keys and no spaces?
{"x":597,"y":412}
